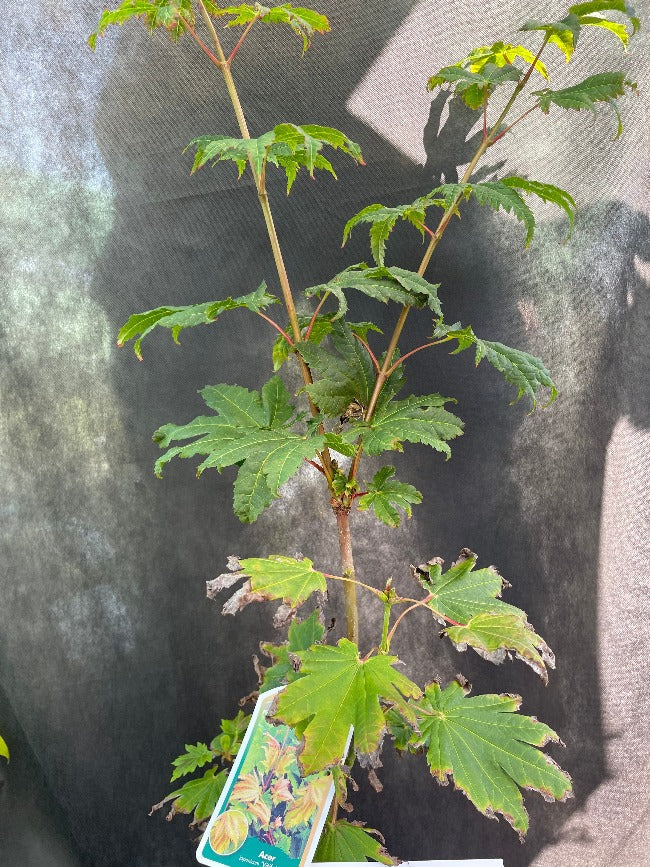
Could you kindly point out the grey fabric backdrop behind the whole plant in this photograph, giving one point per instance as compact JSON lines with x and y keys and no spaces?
{"x":110,"y":656}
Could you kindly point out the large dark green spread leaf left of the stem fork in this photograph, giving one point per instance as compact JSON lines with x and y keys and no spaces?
{"x":251,"y":430}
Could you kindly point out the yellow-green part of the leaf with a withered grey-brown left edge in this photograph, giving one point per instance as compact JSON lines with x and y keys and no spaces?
{"x":284,"y":578}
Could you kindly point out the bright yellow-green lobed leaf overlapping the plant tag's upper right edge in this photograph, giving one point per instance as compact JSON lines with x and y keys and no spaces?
{"x":337,"y":690}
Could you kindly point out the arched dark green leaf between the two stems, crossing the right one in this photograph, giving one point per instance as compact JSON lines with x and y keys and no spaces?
{"x":381,"y":283}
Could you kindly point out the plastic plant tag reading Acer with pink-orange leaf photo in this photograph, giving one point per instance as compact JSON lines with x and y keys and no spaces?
{"x":268,"y":815}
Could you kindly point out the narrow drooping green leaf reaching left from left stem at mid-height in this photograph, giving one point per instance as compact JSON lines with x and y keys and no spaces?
{"x":178,"y":318}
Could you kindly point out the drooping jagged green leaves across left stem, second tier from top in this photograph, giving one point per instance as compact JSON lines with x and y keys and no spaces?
{"x":287,"y":146}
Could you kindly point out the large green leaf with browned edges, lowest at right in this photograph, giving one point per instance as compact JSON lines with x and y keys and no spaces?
{"x":489,"y":750}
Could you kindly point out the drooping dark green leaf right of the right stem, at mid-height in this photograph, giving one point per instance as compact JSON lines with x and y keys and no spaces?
{"x":524,"y":371}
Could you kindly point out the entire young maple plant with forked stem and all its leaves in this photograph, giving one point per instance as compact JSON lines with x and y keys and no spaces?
{"x":352,"y":404}
